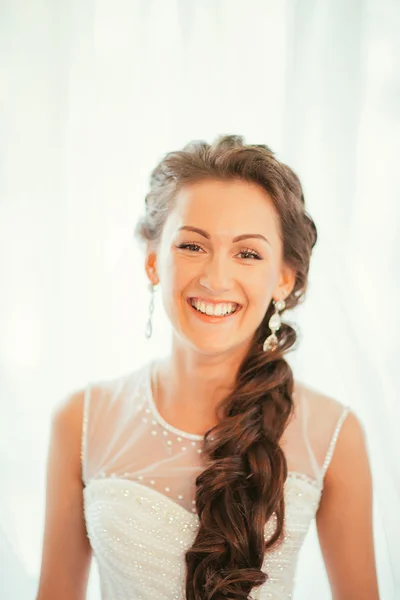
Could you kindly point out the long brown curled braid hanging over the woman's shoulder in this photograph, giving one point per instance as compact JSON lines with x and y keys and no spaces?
{"x":242,"y":486}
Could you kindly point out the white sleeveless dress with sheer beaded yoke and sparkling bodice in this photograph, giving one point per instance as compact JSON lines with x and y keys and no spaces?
{"x":139,"y":475}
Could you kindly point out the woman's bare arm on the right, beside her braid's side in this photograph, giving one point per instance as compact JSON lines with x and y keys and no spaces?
{"x":344,"y":518}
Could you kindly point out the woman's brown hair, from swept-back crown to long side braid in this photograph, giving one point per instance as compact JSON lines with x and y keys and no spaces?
{"x":243,"y":484}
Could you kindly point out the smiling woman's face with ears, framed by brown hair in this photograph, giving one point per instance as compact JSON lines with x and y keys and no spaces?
{"x":221,"y":254}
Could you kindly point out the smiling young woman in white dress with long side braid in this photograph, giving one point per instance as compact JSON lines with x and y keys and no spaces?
{"x":197,"y":476}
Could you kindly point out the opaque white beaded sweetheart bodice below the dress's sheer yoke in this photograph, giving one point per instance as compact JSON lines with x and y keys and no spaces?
{"x":140,"y":536}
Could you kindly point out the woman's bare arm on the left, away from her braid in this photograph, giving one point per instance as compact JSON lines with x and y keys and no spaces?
{"x":66,"y":552}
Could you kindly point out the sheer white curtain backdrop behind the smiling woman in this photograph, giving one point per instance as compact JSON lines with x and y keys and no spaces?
{"x":93,"y":93}
